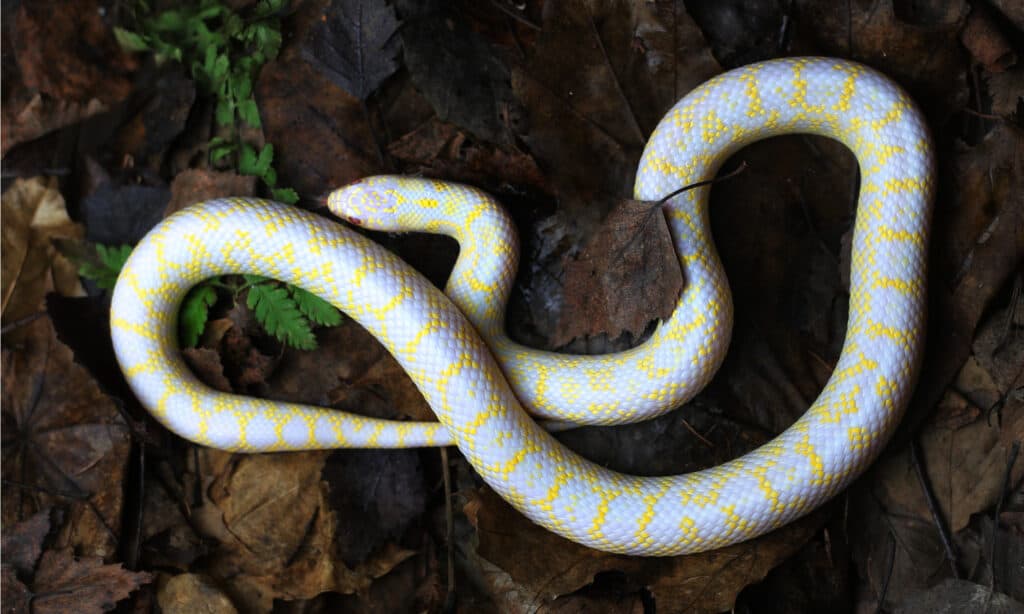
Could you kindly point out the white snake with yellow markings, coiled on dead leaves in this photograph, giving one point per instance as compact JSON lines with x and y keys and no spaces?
{"x":496,"y":400}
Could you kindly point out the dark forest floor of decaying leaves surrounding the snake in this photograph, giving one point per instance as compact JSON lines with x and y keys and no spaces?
{"x":118,"y":113}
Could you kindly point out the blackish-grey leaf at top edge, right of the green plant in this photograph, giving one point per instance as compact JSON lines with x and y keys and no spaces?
{"x":356,"y":46}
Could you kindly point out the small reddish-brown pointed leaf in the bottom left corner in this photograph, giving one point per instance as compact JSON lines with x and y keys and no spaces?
{"x":68,"y":584}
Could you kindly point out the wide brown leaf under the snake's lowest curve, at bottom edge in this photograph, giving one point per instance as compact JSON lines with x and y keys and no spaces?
{"x":541,"y":566}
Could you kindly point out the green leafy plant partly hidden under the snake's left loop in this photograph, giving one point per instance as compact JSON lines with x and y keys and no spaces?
{"x":225,"y":52}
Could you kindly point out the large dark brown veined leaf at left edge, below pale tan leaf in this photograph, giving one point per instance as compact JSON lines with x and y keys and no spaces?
{"x":64,"y":443}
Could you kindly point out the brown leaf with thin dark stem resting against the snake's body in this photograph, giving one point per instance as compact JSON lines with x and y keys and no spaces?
{"x":627,"y":277}
